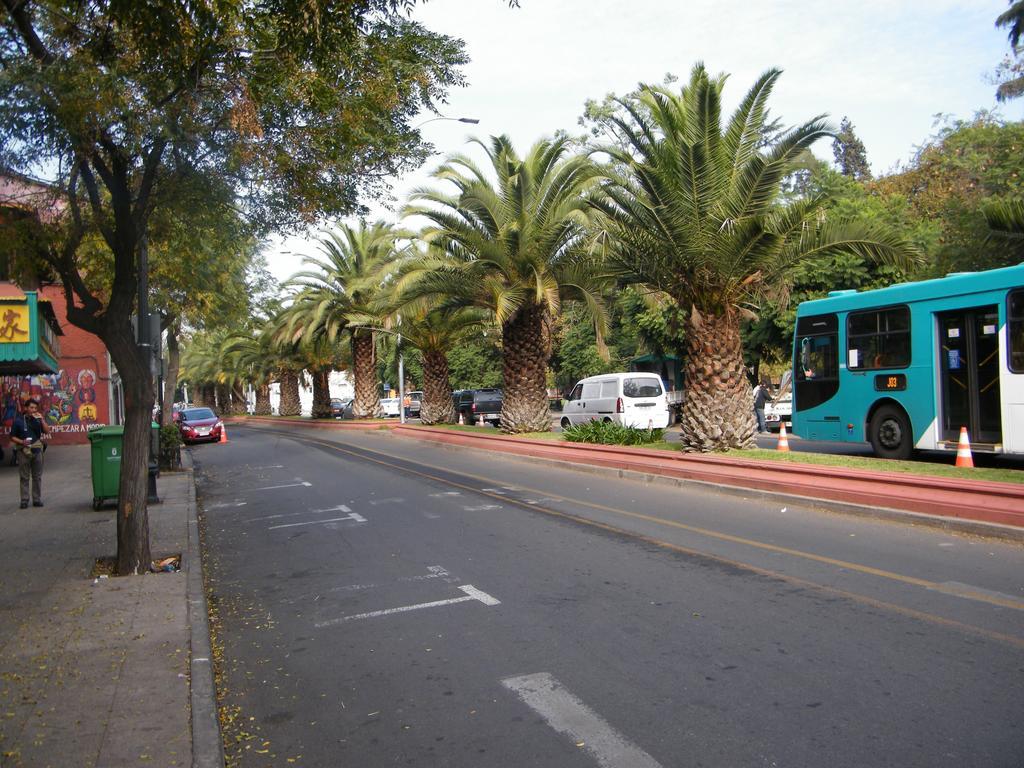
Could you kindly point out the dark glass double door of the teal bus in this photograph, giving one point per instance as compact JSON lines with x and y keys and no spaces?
{"x":969,"y":353}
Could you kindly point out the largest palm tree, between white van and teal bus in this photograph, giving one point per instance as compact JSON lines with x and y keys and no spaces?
{"x":694,"y":212}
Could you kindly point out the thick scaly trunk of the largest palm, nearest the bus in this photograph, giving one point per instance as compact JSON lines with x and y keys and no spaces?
{"x":718,"y":410}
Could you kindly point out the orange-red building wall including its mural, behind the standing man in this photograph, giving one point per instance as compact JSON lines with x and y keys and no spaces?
{"x":74,"y":399}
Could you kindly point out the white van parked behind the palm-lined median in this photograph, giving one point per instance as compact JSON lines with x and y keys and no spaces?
{"x":636,"y":400}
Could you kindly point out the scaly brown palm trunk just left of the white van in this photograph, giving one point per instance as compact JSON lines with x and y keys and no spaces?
{"x":527,"y":350}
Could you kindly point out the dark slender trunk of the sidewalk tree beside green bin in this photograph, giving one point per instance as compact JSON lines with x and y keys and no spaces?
{"x":134,"y":521}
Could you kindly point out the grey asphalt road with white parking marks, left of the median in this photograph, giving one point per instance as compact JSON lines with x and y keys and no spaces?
{"x":383,"y":602}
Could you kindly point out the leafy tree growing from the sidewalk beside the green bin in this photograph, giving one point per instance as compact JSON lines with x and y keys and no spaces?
{"x":298,"y":106}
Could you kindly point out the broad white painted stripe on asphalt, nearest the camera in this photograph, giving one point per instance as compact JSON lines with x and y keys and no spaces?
{"x":570,"y":716}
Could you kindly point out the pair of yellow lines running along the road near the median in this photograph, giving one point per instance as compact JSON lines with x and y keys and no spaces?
{"x":888,"y":575}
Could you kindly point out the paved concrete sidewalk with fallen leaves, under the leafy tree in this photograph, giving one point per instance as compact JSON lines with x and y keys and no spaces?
{"x":99,"y":672}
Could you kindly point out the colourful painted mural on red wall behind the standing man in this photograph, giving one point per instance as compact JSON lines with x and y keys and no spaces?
{"x":67,"y":400}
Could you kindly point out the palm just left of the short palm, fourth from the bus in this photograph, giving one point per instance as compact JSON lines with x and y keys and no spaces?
{"x":340,"y":293}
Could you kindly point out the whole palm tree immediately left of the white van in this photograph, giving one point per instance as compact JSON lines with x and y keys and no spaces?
{"x":513,"y":245}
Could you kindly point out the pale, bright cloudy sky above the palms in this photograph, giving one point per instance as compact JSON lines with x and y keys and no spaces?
{"x":889,"y":66}
